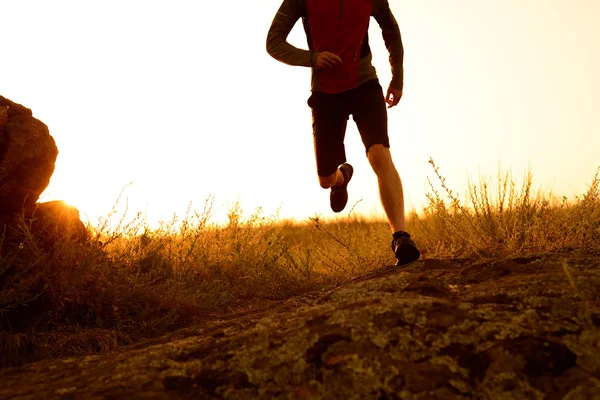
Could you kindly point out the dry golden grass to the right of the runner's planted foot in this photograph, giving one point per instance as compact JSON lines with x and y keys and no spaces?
{"x":506,"y":218}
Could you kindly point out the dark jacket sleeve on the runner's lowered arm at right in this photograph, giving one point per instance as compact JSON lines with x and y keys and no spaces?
{"x":393,"y":40}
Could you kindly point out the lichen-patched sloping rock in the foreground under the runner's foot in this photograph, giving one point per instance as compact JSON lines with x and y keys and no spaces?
{"x":524,"y":328}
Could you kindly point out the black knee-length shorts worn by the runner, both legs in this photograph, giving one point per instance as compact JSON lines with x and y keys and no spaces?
{"x":331,"y":112}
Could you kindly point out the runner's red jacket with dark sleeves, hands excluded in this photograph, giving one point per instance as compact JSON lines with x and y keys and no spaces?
{"x":340,"y":27}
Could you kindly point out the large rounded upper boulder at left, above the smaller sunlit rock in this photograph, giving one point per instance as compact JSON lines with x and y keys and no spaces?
{"x":27,"y":157}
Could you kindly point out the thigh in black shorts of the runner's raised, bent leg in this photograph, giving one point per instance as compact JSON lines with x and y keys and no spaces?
{"x":330,"y":119}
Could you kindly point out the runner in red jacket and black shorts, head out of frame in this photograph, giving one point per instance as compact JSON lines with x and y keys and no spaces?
{"x":344,"y":83}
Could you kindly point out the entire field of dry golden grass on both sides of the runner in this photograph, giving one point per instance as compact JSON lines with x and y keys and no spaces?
{"x":133,"y":282}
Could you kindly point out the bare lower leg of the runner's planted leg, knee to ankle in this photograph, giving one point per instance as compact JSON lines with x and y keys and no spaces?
{"x":390,"y":186}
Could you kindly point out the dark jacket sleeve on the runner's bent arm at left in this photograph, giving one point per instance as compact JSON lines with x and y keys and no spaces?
{"x":277,"y":44}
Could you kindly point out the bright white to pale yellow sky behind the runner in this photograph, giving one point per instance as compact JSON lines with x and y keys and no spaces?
{"x":181,"y":99}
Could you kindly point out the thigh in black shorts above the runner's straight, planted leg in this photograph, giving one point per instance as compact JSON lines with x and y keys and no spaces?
{"x":370,"y":114}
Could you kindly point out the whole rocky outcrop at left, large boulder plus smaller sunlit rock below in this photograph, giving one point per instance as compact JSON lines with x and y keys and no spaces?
{"x":27,"y":157}
